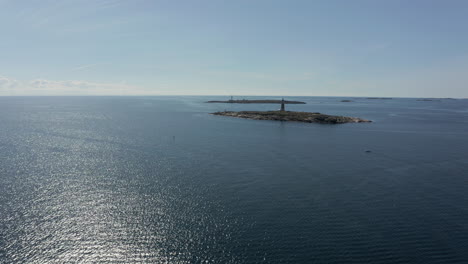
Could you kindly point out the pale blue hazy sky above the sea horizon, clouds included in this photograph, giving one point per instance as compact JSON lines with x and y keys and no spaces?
{"x":392,"y":48}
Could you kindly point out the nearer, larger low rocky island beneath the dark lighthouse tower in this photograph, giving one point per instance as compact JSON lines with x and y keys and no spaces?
{"x":292,"y":116}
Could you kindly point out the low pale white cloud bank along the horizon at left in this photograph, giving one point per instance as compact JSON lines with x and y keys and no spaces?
{"x":9,"y":86}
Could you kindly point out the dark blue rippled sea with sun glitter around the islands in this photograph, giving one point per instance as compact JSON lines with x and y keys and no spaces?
{"x":159,"y":180}
